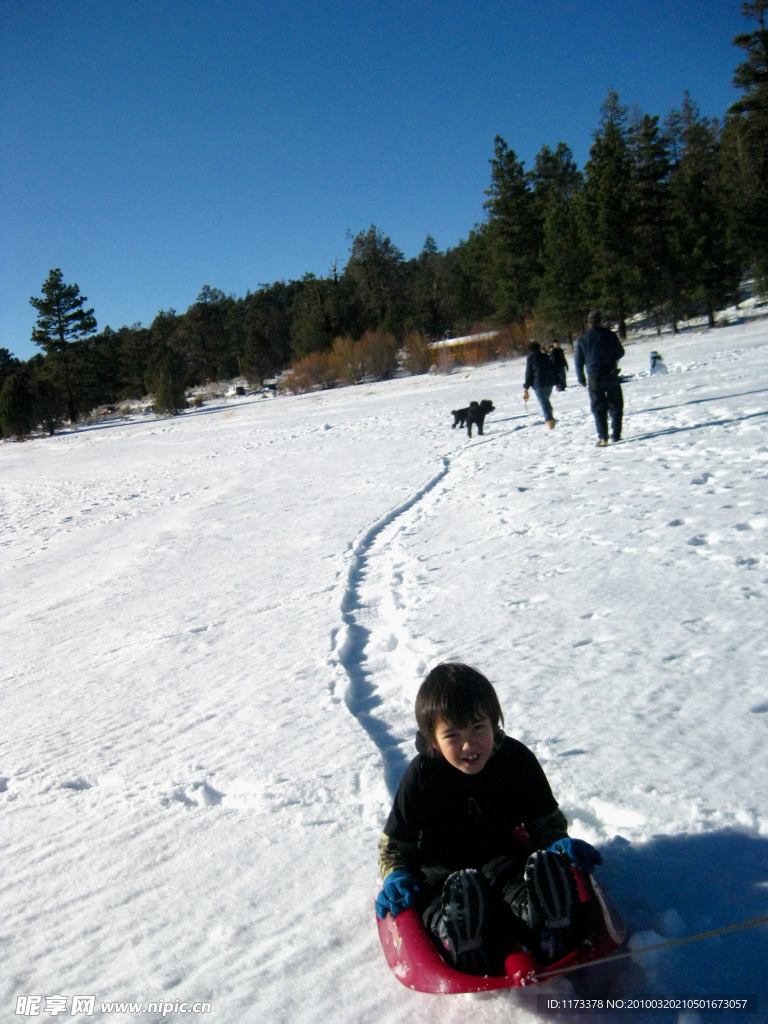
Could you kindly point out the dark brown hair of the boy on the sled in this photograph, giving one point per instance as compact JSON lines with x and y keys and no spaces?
{"x":458,"y":695}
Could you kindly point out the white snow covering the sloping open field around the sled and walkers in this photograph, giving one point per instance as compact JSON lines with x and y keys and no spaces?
{"x":215,"y":627}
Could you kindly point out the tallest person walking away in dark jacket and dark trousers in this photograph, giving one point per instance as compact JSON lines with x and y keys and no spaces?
{"x":599,"y":352}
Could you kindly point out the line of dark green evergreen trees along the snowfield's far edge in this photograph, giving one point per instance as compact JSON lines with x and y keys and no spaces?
{"x":666,"y":220}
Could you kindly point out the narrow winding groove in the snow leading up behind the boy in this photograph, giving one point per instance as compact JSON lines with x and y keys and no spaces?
{"x":351,"y":642}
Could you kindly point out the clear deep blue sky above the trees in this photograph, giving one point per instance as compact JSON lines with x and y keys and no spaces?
{"x":153,"y":147}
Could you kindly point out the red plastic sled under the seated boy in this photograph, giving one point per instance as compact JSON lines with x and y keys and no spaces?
{"x":417,"y":963}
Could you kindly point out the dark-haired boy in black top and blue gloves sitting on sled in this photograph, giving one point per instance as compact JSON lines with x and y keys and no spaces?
{"x":453,"y":846}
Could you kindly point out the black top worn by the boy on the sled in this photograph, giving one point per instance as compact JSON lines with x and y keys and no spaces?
{"x":442,"y":817}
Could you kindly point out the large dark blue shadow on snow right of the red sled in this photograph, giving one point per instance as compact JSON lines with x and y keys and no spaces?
{"x":682,"y":885}
